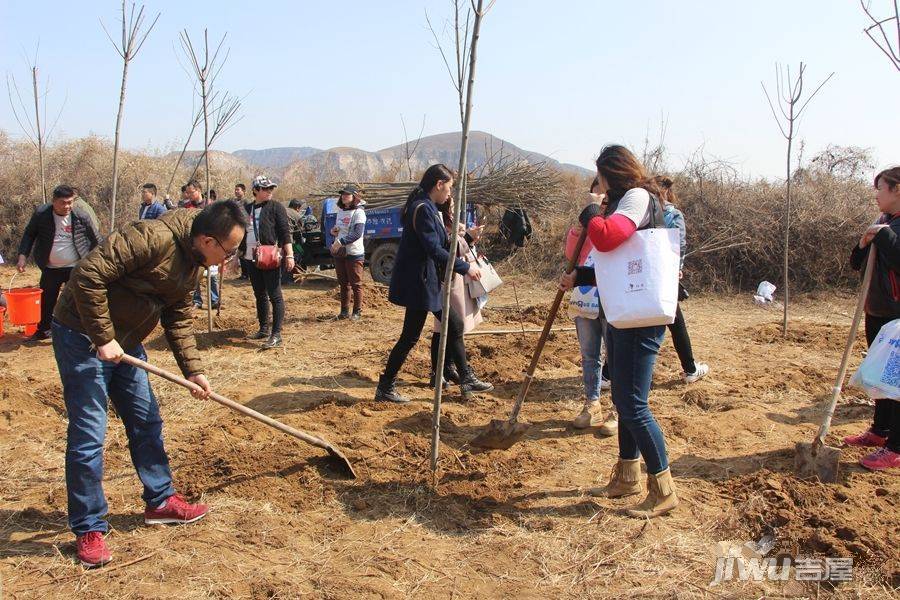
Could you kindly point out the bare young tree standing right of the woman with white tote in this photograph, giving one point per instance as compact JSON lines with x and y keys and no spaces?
{"x":789,"y":93}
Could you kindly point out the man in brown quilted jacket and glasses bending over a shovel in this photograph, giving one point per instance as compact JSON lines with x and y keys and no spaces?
{"x":141,"y":275}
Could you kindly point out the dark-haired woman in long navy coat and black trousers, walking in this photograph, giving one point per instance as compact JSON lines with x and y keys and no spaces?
{"x":416,"y":282}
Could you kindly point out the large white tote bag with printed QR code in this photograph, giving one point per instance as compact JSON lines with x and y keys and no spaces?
{"x":638,"y":281}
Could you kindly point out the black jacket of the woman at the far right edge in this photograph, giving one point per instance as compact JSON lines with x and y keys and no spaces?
{"x":884,"y":290}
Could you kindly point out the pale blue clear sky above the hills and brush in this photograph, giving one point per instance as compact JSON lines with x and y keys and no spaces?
{"x":562,"y":78}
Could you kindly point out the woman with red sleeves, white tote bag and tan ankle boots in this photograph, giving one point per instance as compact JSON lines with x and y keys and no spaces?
{"x":632,"y":347}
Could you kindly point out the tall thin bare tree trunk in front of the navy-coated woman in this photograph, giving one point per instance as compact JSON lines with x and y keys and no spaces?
{"x":479,"y":11}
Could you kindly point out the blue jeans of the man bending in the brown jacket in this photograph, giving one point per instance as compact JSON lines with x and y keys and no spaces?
{"x":87,"y":381}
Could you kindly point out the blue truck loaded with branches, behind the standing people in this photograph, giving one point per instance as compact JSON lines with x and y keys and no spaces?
{"x":383,"y":230}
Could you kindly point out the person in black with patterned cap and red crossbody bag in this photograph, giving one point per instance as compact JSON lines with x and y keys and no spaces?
{"x":268,"y":226}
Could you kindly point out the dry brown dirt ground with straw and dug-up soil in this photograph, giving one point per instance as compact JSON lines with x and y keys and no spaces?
{"x":515,"y":523}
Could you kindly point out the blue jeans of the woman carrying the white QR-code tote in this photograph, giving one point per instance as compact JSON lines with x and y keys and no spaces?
{"x":632,"y":356}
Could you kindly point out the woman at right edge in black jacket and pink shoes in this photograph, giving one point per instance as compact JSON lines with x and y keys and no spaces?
{"x":882,"y":306}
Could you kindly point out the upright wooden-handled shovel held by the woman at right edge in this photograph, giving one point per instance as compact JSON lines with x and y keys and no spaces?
{"x":816,"y":459}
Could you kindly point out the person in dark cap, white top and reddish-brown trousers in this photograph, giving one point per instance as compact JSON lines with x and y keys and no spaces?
{"x":348,"y":250}
